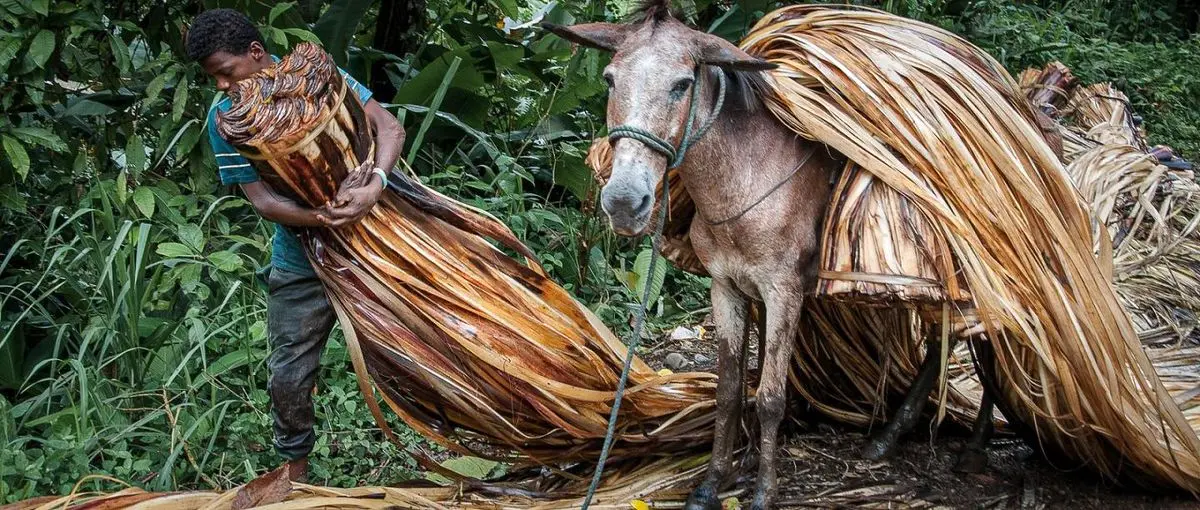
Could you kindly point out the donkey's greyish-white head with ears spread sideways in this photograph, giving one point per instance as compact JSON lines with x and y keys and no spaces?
{"x":651,"y":80}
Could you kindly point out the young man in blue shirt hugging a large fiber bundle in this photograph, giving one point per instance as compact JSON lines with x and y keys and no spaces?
{"x":299,"y":316}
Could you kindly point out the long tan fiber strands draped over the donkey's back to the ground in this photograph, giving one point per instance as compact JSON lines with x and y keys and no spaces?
{"x":943,"y":124}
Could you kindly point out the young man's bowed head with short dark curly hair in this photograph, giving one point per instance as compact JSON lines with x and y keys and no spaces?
{"x":227,"y":45}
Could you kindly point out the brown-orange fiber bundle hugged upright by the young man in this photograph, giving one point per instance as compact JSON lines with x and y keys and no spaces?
{"x":472,"y":349}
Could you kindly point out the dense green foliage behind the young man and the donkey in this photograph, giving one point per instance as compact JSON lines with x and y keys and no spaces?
{"x":133,"y":332}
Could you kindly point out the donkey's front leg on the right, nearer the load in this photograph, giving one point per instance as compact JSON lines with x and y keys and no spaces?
{"x":783,"y":317}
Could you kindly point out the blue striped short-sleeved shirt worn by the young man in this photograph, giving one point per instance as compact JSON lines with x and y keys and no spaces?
{"x":236,"y":170}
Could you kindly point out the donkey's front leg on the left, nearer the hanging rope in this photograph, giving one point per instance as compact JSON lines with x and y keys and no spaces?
{"x":729,"y":314}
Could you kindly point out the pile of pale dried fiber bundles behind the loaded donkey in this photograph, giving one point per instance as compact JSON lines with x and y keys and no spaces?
{"x":1150,"y":211}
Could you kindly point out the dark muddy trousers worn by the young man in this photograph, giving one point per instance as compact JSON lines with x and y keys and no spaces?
{"x":299,"y":319}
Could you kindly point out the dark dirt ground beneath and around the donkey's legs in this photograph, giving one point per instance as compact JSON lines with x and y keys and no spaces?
{"x":821,"y":466}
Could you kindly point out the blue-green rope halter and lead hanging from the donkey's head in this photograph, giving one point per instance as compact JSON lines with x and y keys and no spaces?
{"x":675,"y":158}
